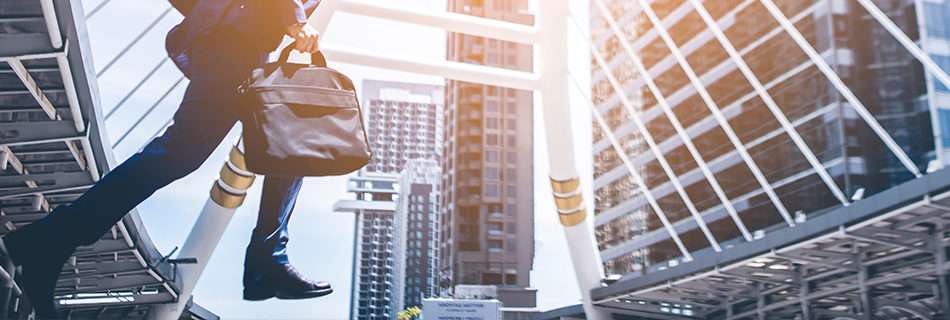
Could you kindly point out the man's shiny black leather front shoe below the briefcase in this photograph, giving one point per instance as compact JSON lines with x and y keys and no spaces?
{"x":281,"y":281}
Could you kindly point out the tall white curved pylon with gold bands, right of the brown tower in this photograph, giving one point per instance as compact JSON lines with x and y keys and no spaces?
{"x":551,"y":56}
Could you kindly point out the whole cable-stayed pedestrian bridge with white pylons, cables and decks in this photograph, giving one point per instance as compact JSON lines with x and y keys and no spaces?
{"x":881,"y":257}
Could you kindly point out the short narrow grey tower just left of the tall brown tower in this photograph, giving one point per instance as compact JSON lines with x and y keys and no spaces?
{"x":416,"y":235}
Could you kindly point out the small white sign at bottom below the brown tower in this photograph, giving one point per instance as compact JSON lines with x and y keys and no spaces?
{"x":451,"y":309}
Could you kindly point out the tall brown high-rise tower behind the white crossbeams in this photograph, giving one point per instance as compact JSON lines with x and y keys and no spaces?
{"x":487,"y":169}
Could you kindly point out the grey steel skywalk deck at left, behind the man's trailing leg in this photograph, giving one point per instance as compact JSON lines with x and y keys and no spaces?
{"x":51,"y":150}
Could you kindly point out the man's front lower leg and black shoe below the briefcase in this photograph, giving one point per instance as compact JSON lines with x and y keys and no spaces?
{"x":267,"y":269}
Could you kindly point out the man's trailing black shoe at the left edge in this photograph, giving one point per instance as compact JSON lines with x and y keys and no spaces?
{"x":40,"y":262}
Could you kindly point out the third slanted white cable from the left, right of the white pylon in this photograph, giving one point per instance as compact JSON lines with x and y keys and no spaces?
{"x":680,"y":131}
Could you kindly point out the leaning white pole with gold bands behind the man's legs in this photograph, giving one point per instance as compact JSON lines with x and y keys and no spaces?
{"x":227,"y":195}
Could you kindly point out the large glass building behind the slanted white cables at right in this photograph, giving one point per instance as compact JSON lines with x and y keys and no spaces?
{"x":875,"y":66}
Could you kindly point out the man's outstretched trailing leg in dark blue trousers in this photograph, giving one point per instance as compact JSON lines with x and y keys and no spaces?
{"x":42,"y":247}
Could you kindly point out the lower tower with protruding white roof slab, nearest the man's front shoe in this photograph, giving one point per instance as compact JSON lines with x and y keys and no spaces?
{"x":374,"y":206}
